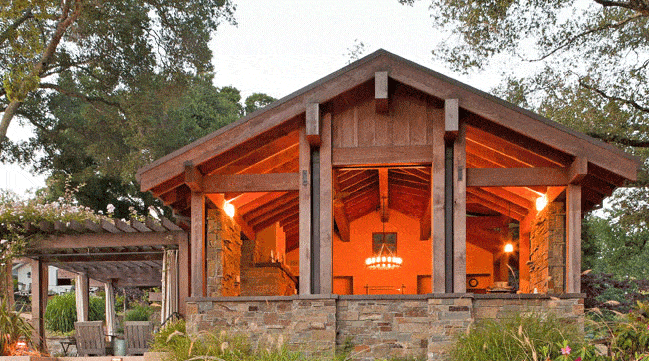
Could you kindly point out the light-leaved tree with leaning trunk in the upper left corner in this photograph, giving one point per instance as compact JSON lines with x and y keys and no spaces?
{"x":110,"y":43}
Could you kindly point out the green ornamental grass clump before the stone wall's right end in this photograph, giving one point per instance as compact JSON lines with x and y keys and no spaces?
{"x":521,"y":338}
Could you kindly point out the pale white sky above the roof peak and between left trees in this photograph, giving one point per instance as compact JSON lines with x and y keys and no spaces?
{"x":280,"y":46}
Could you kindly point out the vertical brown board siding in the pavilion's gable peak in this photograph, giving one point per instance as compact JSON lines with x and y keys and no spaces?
{"x":356,"y":124}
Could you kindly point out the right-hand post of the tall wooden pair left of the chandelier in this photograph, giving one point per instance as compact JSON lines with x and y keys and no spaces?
{"x":326,"y":211}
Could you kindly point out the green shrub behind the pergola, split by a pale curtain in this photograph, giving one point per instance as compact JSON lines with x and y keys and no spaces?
{"x":61,"y":312}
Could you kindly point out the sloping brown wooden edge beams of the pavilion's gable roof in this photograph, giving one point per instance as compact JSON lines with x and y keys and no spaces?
{"x":280,"y":117}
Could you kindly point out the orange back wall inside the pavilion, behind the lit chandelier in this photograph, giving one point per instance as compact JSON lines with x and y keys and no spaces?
{"x":349,"y":257}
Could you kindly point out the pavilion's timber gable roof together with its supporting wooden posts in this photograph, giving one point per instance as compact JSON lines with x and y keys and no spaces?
{"x":387,"y":134}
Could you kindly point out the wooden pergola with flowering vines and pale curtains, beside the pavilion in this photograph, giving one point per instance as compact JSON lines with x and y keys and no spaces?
{"x":151,"y":253}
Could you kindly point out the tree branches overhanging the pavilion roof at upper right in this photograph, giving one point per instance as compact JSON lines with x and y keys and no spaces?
{"x":582,"y":62}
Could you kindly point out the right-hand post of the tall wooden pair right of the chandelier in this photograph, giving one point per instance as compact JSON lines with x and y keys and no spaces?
{"x":459,"y":211}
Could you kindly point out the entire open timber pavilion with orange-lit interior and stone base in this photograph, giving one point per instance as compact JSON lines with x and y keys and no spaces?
{"x":383,"y":195}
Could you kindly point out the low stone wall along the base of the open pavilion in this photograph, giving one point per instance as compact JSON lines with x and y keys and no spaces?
{"x":377,"y":326}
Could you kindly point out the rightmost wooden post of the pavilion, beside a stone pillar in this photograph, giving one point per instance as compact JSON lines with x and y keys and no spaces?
{"x":573,"y":238}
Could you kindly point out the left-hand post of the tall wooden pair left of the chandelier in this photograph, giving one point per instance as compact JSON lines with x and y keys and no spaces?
{"x":305,"y":215}
